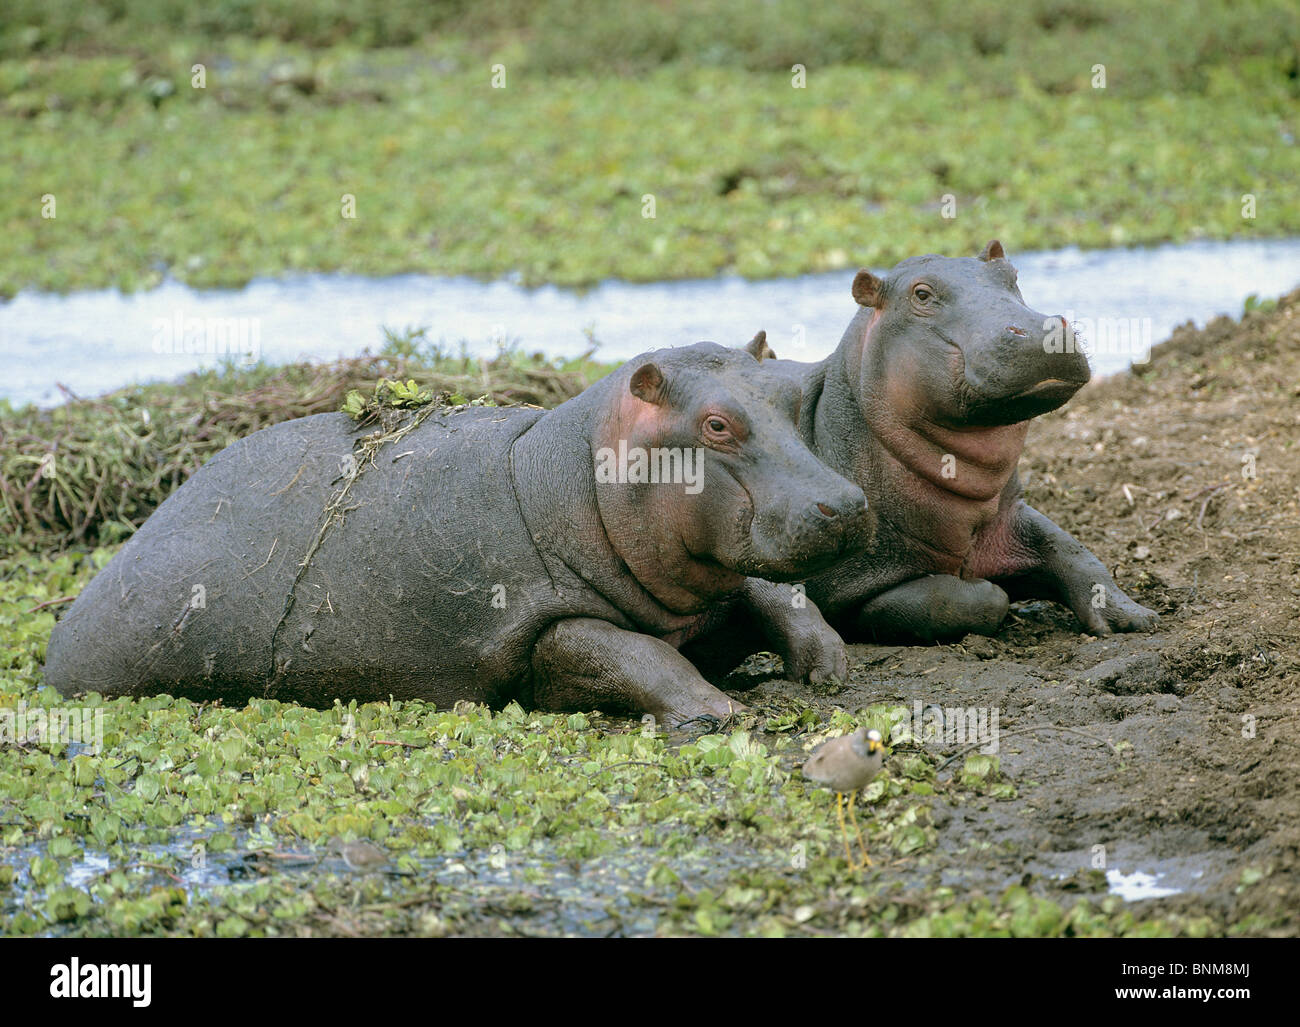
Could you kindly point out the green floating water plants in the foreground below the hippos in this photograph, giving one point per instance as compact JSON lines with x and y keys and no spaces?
{"x":201,"y":820}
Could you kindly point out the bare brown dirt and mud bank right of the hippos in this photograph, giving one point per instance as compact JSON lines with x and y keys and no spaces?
{"x":1184,"y":479}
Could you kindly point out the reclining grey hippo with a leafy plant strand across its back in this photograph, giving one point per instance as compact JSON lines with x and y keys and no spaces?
{"x":557,"y":558}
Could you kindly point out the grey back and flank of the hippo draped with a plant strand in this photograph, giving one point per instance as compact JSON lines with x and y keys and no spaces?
{"x":278,"y":573}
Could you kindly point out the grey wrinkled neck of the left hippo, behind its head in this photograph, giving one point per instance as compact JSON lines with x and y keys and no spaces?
{"x":616,"y":538}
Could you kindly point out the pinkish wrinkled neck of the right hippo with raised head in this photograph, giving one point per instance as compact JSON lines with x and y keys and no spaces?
{"x":900,"y":460}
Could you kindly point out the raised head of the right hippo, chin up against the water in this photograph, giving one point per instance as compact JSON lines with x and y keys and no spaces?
{"x":956,"y":337}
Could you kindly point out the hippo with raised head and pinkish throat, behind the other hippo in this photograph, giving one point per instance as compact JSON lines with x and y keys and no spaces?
{"x":926,"y":405}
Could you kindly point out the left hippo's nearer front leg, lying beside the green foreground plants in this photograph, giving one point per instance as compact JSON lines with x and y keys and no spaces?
{"x":584,"y":664}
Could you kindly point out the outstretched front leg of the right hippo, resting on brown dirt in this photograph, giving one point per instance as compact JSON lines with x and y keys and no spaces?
{"x":1068,"y":573}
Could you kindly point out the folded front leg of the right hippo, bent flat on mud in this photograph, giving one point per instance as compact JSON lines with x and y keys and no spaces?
{"x":933,"y":609}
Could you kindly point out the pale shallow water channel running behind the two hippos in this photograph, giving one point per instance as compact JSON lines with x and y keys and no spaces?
{"x":96,"y":341}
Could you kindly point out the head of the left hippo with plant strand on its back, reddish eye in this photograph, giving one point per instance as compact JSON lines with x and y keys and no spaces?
{"x":705,"y":476}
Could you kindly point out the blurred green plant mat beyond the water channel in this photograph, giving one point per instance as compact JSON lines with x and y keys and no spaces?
{"x":547,"y":180}
